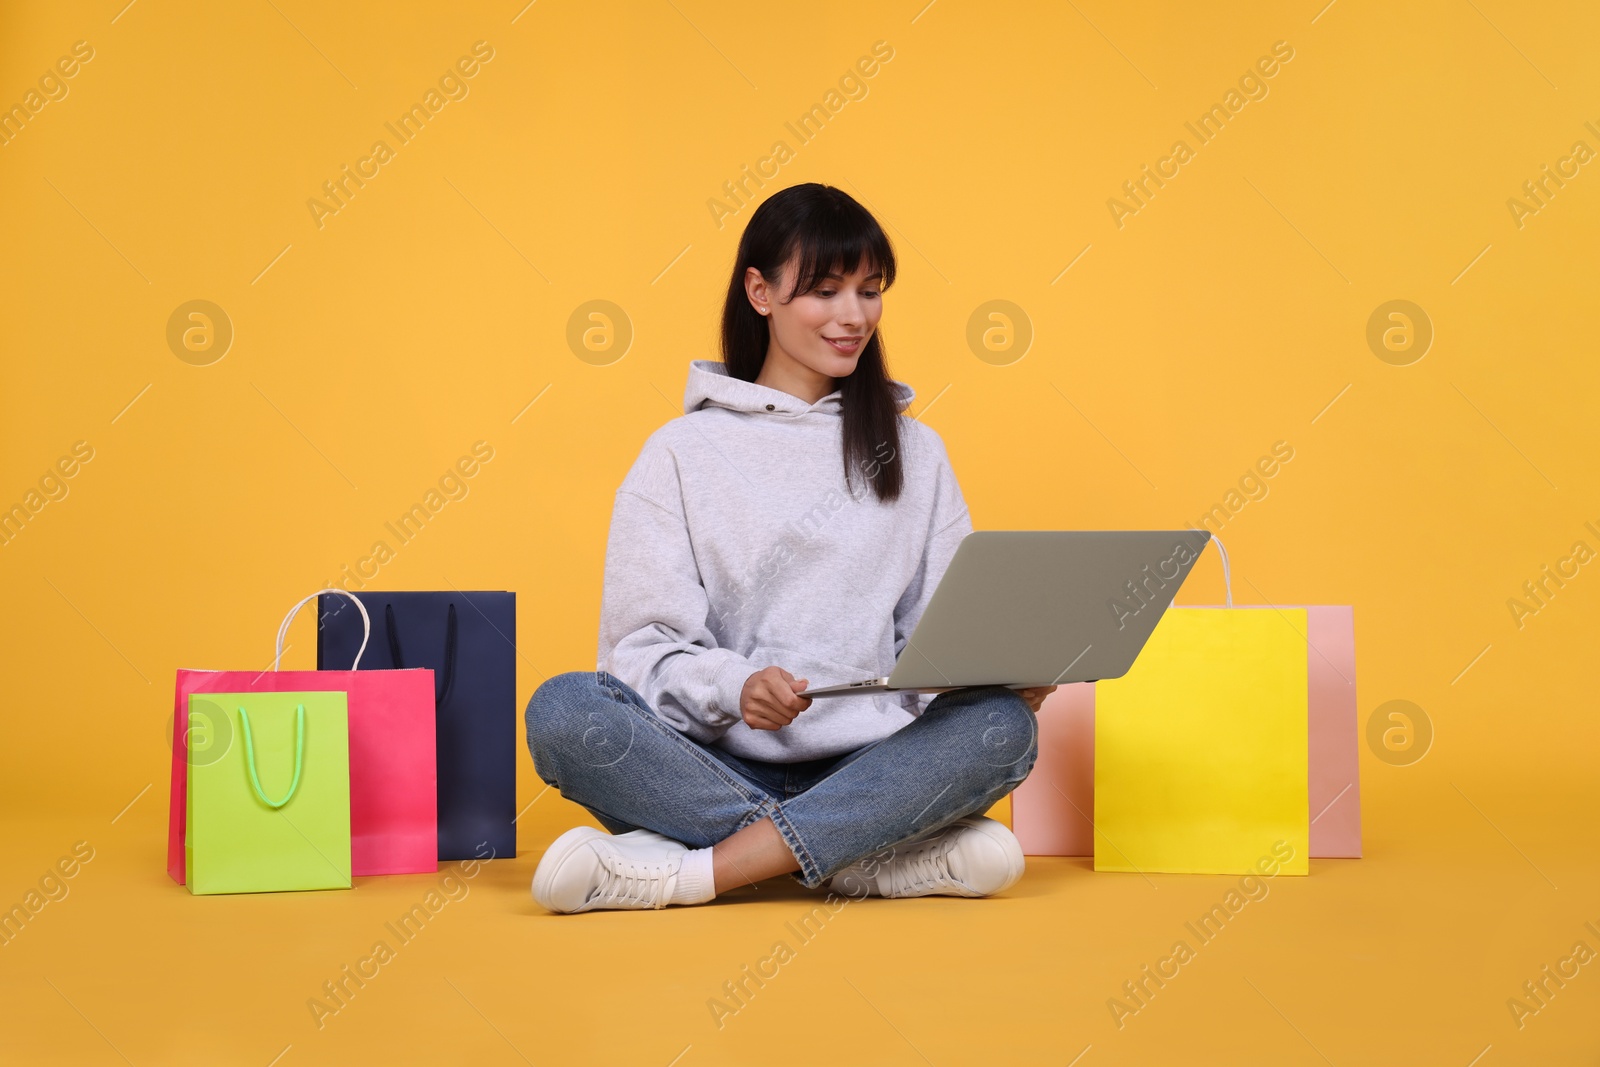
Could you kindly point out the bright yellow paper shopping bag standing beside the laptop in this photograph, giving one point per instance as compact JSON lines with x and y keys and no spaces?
{"x":1201,"y":751}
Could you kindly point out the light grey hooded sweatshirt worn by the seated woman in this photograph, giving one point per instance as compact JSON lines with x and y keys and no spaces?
{"x":735,"y":546}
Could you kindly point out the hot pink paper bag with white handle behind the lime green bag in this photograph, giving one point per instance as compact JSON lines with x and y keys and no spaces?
{"x":391,"y":738}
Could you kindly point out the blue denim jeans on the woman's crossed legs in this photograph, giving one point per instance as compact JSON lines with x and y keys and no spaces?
{"x":604,"y":748}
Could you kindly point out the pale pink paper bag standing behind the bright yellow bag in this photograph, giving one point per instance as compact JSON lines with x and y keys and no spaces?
{"x":1052,"y":812}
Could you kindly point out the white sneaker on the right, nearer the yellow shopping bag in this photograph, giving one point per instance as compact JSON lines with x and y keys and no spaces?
{"x":972,"y":857}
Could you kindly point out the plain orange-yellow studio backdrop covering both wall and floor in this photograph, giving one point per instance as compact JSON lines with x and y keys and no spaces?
{"x":1164,"y":359}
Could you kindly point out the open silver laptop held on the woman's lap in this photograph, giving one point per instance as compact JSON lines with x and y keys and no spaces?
{"x":1039,"y":607}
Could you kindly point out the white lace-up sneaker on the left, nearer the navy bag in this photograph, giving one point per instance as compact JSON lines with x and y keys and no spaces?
{"x":588,"y":869}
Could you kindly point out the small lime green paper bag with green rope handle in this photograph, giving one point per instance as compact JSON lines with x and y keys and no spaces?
{"x":274,"y":810}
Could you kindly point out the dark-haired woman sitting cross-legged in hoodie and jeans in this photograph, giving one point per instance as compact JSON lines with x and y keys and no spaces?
{"x":788,"y":529}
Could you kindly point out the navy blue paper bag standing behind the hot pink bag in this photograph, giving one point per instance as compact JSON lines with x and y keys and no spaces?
{"x":468,"y":639}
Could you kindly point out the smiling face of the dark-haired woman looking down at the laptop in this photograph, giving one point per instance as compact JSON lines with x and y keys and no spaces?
{"x":826,"y":329}
